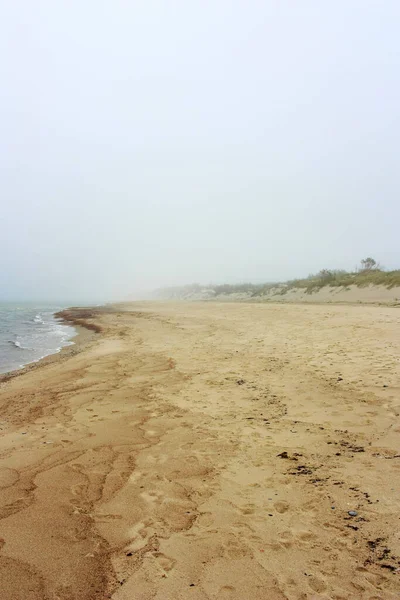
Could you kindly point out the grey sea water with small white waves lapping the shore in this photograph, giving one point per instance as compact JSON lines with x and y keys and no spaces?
{"x":29,"y":332}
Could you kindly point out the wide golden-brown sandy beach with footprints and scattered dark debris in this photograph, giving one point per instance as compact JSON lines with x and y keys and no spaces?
{"x":207,"y":451}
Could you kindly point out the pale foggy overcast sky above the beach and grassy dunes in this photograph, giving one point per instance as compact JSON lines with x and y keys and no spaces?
{"x":145,"y":143}
